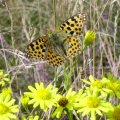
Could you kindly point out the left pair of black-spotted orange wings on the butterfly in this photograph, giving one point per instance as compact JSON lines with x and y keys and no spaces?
{"x":39,"y":49}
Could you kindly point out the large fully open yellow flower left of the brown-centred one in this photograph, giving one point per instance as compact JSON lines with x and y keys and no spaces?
{"x":45,"y":97}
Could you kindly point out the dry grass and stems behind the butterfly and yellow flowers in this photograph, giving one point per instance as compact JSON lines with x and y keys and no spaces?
{"x":22,"y":21}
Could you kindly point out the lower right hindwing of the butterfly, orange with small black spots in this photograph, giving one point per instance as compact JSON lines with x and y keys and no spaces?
{"x":74,"y":48}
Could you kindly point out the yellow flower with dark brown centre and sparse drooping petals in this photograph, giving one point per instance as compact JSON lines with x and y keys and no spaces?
{"x":65,"y":103}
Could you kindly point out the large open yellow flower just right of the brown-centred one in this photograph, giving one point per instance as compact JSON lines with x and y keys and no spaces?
{"x":93,"y":103}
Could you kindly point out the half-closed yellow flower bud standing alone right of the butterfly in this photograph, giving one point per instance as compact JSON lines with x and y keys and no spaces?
{"x":89,"y":38}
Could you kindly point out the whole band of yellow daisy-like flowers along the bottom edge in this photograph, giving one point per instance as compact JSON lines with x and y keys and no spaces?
{"x":92,"y":101}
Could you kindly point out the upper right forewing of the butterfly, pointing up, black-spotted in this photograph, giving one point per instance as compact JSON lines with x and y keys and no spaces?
{"x":74,"y":24}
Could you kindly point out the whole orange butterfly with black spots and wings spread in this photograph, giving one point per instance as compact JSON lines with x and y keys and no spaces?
{"x":43,"y":49}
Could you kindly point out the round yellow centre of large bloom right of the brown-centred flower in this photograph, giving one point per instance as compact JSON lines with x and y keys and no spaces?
{"x":92,"y":102}
